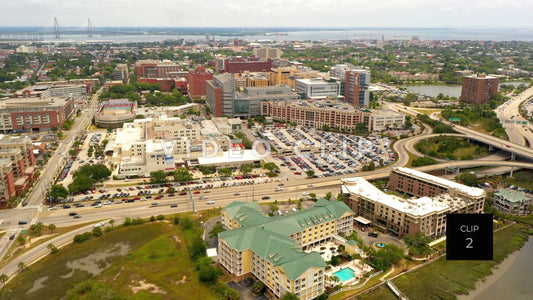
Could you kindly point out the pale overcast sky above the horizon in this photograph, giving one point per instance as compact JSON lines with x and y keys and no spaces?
{"x":269,"y":13}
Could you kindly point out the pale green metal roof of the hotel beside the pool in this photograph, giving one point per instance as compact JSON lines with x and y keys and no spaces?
{"x":268,"y":237}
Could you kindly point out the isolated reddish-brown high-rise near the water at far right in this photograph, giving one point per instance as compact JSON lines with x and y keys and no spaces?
{"x":478,"y":89}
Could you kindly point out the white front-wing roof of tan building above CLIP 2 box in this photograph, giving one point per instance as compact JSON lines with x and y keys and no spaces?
{"x":415,"y":207}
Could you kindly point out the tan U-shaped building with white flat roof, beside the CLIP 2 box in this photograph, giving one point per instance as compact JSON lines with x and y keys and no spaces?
{"x":400,"y":216}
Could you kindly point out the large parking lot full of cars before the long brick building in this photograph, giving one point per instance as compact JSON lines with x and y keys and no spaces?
{"x":326,"y":153}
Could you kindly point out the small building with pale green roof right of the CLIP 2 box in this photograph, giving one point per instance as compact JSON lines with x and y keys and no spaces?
{"x":512,"y":202}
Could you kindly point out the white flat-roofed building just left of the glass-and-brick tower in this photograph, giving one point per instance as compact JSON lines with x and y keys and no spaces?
{"x":318,"y":88}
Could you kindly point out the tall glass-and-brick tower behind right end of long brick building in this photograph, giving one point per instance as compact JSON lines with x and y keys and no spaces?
{"x":354,"y":84}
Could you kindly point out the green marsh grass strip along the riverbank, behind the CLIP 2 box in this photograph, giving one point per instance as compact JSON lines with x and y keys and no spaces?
{"x":445,"y":279}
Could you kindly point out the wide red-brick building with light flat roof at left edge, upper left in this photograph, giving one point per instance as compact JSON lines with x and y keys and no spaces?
{"x":34,"y":114}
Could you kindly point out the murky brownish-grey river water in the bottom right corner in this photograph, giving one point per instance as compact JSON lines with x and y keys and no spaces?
{"x":517,"y":282}
